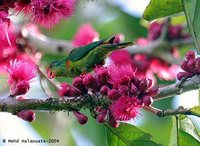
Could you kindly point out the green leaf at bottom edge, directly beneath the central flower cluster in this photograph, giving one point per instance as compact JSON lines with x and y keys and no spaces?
{"x":128,"y":135}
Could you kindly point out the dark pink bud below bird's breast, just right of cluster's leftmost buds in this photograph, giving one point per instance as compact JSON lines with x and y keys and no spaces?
{"x":78,"y":83}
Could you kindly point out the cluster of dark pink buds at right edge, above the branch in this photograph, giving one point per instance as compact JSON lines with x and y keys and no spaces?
{"x":191,"y":66}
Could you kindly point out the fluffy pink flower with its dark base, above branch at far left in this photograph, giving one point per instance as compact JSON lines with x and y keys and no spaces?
{"x":20,"y":73}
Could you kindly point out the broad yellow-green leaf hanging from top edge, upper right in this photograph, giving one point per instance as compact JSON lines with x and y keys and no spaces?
{"x":161,"y":8}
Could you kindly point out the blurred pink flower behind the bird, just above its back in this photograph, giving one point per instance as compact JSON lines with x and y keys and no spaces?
{"x":85,"y":35}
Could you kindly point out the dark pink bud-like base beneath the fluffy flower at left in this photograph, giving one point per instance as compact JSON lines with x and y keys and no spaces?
{"x":21,"y":87}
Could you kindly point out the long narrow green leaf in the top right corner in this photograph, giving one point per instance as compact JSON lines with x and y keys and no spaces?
{"x":192,"y":12}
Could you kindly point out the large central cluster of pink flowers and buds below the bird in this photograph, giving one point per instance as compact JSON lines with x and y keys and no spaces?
{"x":118,"y":84}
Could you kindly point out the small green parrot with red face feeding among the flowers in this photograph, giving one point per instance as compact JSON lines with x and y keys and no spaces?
{"x":83,"y":59}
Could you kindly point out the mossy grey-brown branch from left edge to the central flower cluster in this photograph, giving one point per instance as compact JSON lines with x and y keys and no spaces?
{"x":13,"y":105}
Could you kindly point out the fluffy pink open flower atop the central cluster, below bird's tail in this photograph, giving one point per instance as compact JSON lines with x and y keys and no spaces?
{"x":118,"y":72}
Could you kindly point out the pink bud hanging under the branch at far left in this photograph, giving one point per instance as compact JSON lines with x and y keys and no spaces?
{"x":26,"y":115}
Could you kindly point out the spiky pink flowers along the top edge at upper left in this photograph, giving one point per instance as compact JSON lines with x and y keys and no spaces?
{"x":45,"y":12}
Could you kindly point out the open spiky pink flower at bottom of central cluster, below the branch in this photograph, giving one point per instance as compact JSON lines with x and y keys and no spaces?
{"x":125,"y":108}
